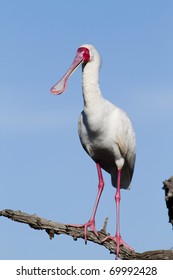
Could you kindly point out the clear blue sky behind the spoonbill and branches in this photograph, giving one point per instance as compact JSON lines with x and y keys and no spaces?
{"x":44,"y":169}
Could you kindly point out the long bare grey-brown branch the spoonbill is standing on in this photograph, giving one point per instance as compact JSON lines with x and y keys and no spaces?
{"x":54,"y":228}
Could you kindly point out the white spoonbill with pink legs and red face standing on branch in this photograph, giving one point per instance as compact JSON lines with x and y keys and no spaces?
{"x":105,"y":132}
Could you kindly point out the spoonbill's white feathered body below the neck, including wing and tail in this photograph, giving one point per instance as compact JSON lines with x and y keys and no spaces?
{"x":109,"y":138}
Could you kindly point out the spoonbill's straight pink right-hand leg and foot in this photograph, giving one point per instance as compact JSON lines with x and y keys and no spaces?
{"x":117,"y":238}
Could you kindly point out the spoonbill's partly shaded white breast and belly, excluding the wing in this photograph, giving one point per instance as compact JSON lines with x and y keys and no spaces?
{"x":97,"y":139}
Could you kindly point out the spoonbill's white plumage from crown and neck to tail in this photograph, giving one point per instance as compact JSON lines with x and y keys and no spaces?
{"x":105,"y":131}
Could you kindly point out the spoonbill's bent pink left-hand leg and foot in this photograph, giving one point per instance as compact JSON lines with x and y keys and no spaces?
{"x":91,"y":222}
